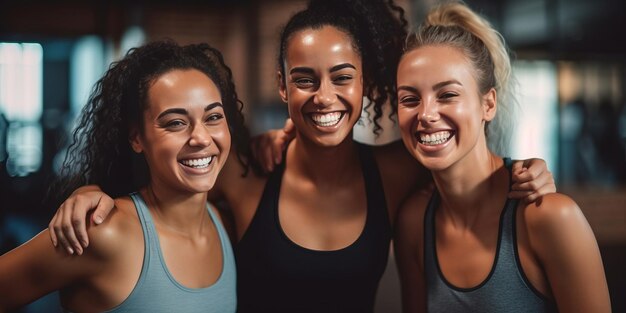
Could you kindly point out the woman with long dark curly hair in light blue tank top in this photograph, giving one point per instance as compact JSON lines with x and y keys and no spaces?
{"x":155,"y":134}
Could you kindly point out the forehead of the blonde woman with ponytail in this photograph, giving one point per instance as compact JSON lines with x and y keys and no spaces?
{"x":438,"y":63}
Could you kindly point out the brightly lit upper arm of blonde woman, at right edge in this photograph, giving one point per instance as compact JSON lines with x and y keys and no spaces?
{"x":567,"y":249}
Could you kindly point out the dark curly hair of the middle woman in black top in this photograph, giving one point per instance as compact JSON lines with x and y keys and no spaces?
{"x":377,"y":28}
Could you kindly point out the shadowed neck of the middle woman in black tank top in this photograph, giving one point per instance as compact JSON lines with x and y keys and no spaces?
{"x":324,"y":165}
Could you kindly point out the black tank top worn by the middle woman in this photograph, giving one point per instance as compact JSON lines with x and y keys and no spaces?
{"x":277,"y":275}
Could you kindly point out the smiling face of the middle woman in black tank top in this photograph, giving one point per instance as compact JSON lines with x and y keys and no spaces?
{"x":323,"y":84}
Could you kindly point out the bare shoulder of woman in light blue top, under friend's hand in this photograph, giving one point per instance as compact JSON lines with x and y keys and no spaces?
{"x":121,"y":229}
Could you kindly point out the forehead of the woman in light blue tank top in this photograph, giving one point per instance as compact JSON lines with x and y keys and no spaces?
{"x":181,"y":88}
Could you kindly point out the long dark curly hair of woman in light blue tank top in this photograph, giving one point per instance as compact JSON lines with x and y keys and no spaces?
{"x":101,"y":154}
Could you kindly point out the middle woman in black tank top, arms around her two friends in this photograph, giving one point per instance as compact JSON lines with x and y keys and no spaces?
{"x":314,"y":236}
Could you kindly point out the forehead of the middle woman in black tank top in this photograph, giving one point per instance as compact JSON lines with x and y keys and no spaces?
{"x":323,"y":45}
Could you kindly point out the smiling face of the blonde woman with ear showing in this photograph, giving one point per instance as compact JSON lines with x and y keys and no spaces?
{"x":440,"y":109}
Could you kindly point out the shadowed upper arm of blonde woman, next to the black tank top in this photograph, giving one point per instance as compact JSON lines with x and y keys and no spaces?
{"x":408,"y":249}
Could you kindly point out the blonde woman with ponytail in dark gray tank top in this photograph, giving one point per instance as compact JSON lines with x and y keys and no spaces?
{"x":467,"y":247}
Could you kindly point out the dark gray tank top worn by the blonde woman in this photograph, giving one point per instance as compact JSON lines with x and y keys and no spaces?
{"x":506,"y":288}
